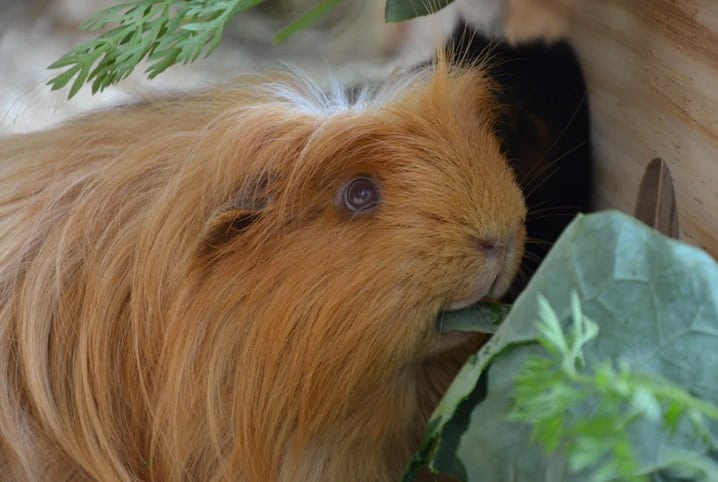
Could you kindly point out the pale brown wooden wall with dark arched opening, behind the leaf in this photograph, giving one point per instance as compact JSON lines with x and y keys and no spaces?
{"x":652,"y":74}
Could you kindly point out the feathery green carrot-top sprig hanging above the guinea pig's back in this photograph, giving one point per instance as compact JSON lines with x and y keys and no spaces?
{"x":166,"y":31}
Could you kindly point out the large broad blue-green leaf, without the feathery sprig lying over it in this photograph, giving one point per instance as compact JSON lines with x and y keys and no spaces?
{"x":656,"y":303}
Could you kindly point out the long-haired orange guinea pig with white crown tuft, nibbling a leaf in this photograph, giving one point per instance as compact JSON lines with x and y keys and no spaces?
{"x":243,"y":284}
